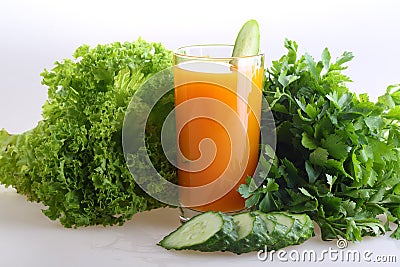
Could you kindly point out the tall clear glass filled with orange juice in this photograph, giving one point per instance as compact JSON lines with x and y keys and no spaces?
{"x":218,"y":108}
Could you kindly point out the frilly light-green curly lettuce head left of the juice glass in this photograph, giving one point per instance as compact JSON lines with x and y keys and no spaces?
{"x":73,"y":161}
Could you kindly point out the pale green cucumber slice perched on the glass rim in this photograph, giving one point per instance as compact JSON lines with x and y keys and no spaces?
{"x":248,"y":40}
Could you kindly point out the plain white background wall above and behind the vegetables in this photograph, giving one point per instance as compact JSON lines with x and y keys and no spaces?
{"x":35,"y":34}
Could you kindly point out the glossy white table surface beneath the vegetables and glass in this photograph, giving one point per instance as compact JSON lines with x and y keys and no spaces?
{"x":28,"y":238}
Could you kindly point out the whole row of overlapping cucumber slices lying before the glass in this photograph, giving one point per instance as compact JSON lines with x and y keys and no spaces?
{"x":240,"y":233}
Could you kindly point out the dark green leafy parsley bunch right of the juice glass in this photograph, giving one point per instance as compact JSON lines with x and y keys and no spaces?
{"x":338,"y":154}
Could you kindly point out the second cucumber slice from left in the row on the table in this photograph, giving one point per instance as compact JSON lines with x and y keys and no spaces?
{"x":252,"y":233}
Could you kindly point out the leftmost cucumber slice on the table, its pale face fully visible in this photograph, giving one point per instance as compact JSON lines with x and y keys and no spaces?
{"x":209,"y":231}
